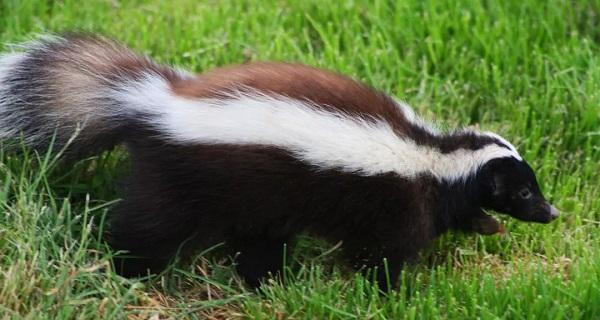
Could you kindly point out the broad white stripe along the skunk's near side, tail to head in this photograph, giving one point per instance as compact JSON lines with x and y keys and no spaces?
{"x":324,"y":139}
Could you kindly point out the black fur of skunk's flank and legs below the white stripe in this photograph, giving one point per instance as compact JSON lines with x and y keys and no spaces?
{"x":256,"y":199}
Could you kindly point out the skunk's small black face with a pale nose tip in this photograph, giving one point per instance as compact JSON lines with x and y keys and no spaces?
{"x":508,"y":185}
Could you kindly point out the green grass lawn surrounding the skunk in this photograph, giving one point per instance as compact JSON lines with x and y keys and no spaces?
{"x":528,"y":69}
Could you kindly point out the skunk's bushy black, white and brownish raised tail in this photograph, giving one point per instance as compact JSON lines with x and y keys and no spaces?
{"x":72,"y":86}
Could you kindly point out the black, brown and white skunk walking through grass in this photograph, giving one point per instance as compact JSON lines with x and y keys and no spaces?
{"x":253,"y":154}
